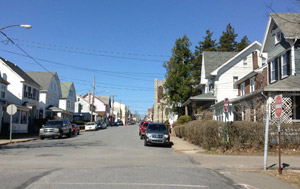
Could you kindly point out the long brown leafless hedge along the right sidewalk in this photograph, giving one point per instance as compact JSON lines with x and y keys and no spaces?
{"x":240,"y":135}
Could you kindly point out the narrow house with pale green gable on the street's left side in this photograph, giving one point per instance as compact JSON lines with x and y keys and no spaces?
{"x":67,"y":101}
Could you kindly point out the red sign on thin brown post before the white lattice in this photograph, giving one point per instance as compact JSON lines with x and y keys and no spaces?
{"x":278,"y":113}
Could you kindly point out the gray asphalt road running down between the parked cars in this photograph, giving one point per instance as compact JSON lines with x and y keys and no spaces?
{"x":110,"y":158}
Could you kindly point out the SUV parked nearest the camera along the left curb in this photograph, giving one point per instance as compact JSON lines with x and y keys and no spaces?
{"x":56,"y":128}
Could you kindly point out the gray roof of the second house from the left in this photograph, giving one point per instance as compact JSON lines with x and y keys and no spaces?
{"x":42,"y":78}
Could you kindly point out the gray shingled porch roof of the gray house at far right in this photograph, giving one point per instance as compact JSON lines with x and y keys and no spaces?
{"x":290,"y":84}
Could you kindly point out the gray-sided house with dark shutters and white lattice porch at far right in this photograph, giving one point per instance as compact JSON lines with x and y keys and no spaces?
{"x":281,"y":48}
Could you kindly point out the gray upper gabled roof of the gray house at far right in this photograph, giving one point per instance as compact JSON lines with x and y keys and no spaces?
{"x":289,"y":24}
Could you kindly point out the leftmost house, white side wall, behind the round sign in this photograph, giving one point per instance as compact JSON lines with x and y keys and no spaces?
{"x":23,"y":91}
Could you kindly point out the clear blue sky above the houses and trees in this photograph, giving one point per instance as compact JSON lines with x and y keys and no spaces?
{"x":123,"y":43}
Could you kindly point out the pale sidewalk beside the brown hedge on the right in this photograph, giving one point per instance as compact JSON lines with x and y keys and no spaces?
{"x":246,"y":170}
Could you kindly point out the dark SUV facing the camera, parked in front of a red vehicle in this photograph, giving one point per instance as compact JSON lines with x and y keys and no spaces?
{"x":157,"y":133}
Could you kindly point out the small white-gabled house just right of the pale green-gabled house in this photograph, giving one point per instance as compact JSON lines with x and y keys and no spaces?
{"x":83,"y":110}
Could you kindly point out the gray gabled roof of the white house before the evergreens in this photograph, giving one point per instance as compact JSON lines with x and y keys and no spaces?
{"x":214,"y":59}
